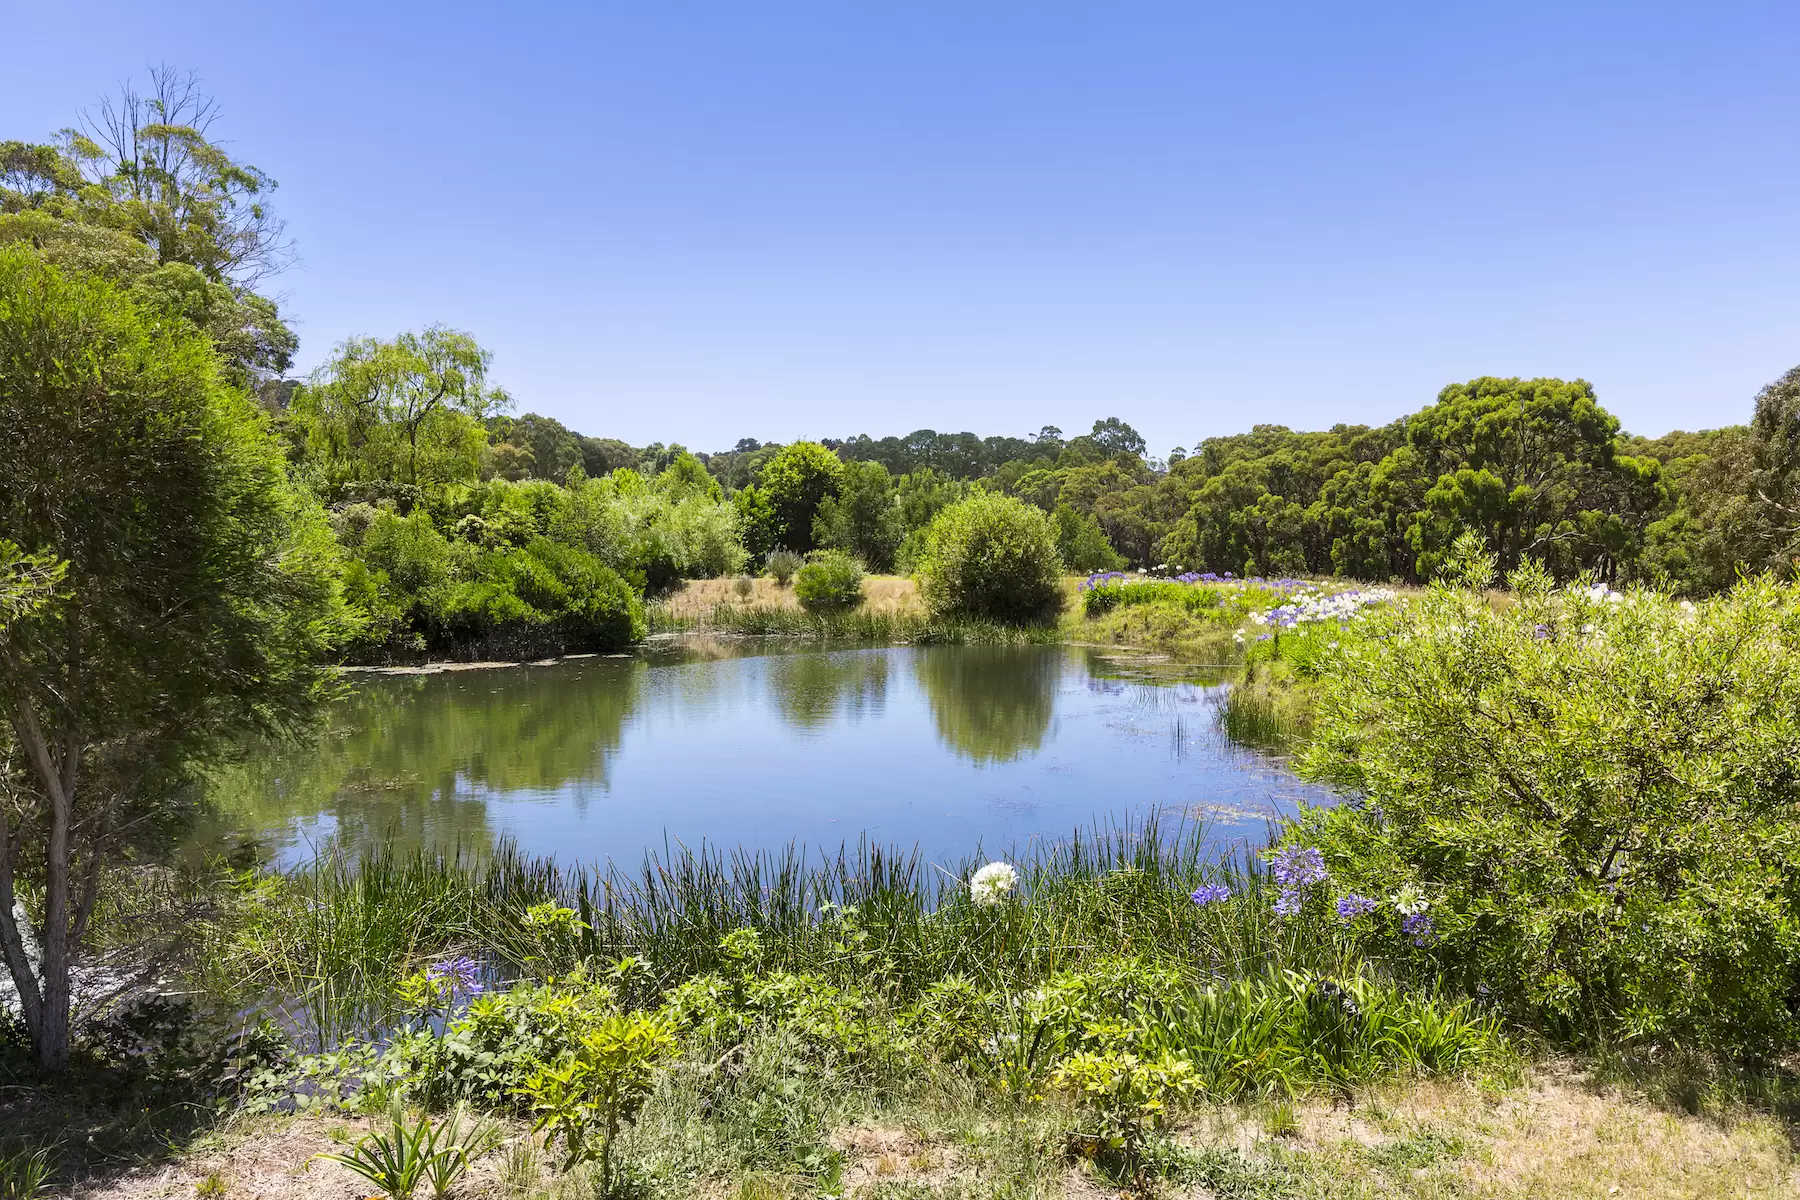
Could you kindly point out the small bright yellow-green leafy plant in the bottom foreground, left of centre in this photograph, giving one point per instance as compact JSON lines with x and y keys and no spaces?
{"x":584,"y":1098}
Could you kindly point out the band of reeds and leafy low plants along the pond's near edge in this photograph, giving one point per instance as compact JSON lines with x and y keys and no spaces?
{"x":1119,"y":980}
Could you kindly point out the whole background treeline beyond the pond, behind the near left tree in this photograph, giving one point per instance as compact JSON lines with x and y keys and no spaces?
{"x":463,"y":521}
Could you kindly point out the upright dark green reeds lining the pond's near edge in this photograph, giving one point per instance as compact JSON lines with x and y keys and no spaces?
{"x":327,"y":944}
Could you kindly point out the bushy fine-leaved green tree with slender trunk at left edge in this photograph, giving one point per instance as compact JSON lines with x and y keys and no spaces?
{"x":168,"y":593}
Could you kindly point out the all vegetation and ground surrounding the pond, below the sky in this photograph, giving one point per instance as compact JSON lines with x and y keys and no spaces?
{"x":1547,"y":947}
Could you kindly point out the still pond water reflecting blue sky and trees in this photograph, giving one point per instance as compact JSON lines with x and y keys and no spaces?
{"x":728,"y":744}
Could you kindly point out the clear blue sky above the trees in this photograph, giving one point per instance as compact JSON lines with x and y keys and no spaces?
{"x":703,"y":222}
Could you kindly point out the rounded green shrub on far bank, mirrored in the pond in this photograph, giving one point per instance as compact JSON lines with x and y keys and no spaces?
{"x":993,"y":557}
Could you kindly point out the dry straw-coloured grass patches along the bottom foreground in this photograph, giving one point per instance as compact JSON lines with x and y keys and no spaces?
{"x":1552,"y":1136}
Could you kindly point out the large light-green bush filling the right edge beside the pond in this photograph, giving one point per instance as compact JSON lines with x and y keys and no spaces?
{"x":1583,"y":803}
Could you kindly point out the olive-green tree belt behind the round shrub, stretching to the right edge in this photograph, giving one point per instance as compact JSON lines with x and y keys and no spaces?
{"x":1536,"y":467}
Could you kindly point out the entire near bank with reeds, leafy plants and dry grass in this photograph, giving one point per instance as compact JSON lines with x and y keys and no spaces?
{"x":858,"y":1025}
